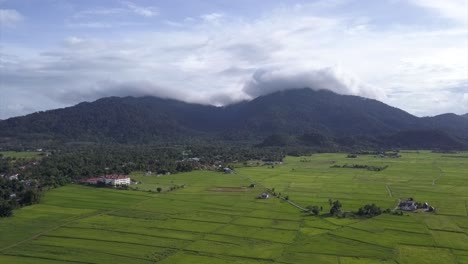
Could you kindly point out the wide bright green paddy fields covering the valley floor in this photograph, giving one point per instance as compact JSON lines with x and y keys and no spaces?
{"x":215,"y":218}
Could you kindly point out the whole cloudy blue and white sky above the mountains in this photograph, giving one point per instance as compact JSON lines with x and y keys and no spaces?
{"x":410,"y":54}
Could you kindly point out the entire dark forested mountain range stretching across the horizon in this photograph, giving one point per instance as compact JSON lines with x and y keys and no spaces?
{"x":301,"y":116}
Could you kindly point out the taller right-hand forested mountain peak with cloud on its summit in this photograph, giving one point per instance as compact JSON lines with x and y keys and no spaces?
{"x":299,"y":111}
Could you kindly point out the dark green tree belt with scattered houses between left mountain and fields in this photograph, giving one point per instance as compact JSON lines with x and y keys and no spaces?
{"x":74,"y":162}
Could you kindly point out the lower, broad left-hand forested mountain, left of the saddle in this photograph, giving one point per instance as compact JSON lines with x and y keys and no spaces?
{"x":115,"y":119}
